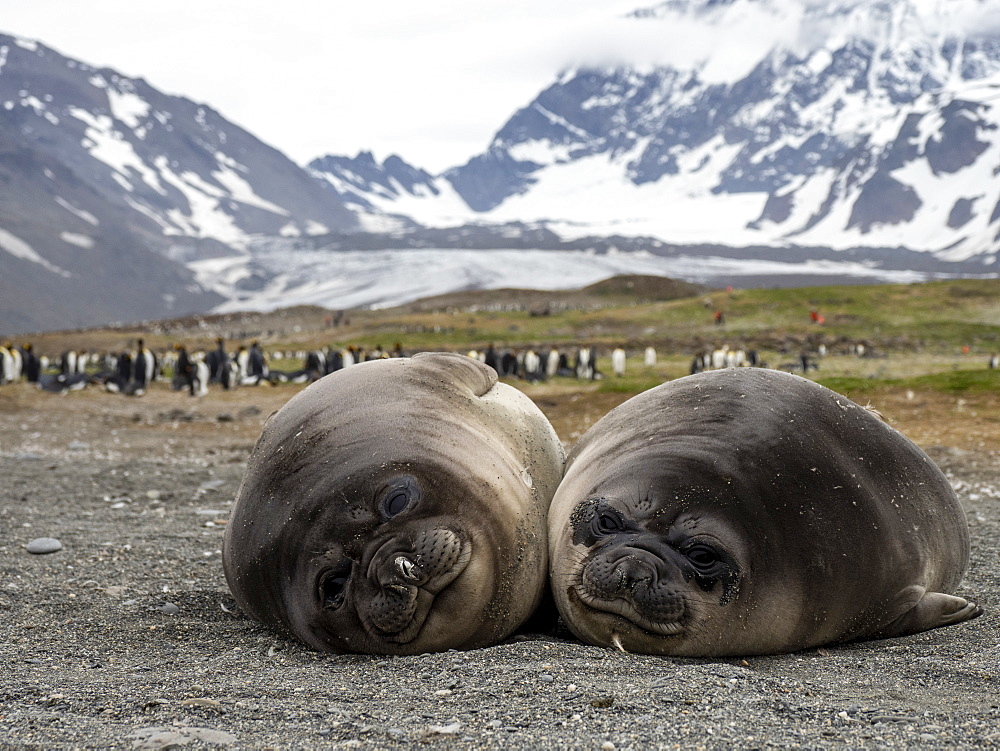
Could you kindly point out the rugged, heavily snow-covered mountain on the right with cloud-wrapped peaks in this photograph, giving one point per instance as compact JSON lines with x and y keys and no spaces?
{"x":833,"y":123}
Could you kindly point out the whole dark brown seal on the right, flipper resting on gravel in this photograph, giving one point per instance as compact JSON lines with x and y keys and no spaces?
{"x":750,"y":511}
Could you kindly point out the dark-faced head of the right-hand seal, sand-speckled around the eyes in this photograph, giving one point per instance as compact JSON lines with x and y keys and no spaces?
{"x":644,"y":559}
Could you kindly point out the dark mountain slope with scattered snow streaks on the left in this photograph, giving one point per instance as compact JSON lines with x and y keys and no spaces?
{"x":107,"y":185}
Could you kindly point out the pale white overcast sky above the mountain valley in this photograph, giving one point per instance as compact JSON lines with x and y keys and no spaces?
{"x":430,"y":80}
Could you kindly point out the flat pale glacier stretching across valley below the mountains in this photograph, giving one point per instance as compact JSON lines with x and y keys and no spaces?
{"x":343,"y":279}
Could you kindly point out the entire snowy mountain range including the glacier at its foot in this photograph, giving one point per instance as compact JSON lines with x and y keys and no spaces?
{"x":740,"y":140}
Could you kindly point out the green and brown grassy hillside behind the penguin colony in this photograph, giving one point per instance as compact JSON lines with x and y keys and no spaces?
{"x":935,"y":318}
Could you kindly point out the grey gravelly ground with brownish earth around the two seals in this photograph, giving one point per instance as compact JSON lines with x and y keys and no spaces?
{"x":127,"y":636}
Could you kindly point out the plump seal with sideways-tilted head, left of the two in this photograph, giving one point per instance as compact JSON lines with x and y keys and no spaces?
{"x":396,"y":507}
